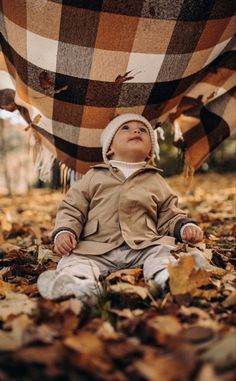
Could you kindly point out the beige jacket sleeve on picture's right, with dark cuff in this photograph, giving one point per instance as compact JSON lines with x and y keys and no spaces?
{"x":170,"y":217}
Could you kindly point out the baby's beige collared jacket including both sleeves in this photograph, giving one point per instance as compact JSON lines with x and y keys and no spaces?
{"x":104,"y":210}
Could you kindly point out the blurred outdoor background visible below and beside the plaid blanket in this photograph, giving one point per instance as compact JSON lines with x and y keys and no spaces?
{"x":18,"y":174}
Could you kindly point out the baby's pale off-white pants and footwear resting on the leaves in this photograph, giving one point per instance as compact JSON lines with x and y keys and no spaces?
{"x":79,"y":274}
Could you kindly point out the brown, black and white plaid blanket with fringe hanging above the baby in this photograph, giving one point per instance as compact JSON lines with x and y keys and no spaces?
{"x":70,"y":66}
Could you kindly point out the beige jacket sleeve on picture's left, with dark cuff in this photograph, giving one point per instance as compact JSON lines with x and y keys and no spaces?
{"x":72,"y":211}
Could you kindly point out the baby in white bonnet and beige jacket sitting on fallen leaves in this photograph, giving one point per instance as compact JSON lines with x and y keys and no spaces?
{"x":121,"y":214}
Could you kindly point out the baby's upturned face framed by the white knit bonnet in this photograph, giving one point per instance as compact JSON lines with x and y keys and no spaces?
{"x":131,"y":143}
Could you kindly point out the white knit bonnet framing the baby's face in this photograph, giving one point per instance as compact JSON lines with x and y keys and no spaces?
{"x":110,"y":130}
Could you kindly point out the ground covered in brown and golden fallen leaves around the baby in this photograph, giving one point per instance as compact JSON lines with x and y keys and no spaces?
{"x":130,"y":332}
